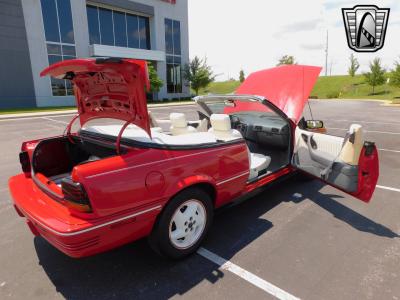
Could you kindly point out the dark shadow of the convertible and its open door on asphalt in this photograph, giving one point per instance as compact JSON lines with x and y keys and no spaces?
{"x":134,"y":271}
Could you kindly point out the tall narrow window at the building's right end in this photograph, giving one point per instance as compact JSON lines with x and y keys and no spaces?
{"x":173,"y":55}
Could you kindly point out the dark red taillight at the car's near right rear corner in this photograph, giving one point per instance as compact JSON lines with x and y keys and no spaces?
{"x":75,"y":195}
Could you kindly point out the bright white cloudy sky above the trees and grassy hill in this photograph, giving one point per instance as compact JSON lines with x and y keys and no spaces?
{"x":253,"y":34}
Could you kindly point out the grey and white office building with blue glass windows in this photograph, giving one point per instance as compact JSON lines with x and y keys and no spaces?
{"x":42,"y":32}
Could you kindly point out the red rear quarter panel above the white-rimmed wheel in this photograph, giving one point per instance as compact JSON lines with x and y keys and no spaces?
{"x":144,"y":177}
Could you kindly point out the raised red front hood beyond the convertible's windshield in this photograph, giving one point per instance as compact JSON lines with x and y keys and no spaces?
{"x":287,"y":87}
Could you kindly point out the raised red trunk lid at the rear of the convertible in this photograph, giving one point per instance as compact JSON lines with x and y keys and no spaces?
{"x":107,"y":88}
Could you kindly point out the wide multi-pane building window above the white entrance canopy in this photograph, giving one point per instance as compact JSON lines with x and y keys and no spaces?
{"x":117,"y":28}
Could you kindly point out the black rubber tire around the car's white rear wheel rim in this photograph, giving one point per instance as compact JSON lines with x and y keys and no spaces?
{"x":160,"y":240}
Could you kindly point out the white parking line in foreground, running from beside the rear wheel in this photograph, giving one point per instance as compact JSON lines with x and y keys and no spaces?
{"x":246,"y":275}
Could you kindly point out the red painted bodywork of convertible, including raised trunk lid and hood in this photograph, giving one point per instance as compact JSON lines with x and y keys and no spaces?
{"x":128,"y":191}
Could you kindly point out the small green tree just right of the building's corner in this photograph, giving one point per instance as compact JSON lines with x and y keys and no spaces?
{"x":198,"y":74}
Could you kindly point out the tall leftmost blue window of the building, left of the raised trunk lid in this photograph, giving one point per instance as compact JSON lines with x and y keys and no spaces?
{"x":60,"y":41}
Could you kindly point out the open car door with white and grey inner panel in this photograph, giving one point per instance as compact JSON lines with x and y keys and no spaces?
{"x":349,"y":164}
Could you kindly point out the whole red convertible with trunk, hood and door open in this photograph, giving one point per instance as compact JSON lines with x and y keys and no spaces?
{"x":109,"y":184}
